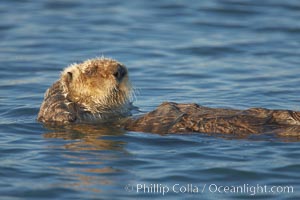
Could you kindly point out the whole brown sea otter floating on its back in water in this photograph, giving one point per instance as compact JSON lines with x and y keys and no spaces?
{"x":99,"y":91}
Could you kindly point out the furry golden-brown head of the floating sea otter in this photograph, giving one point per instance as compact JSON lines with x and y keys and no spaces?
{"x":98,"y":85}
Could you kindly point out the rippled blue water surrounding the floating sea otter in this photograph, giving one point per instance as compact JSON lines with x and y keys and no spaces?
{"x":217,"y":53}
